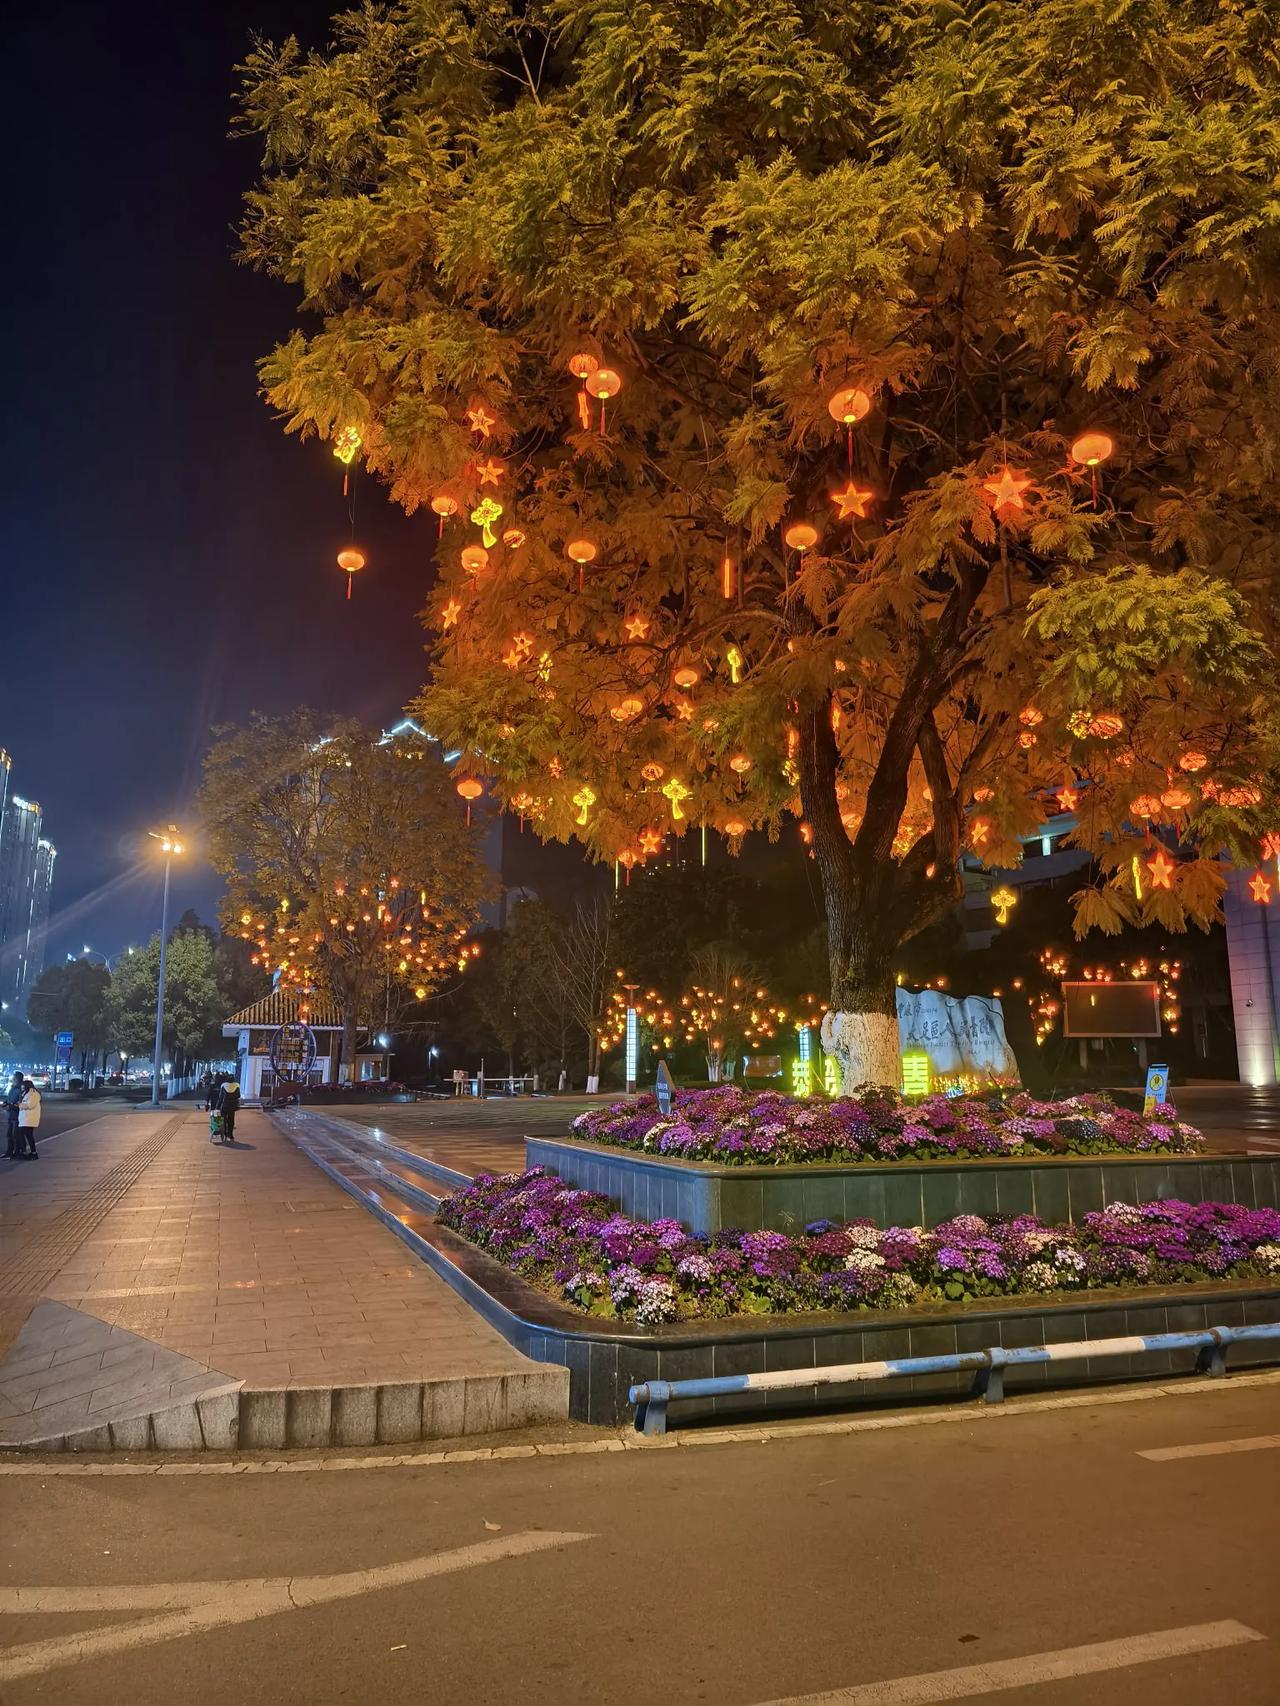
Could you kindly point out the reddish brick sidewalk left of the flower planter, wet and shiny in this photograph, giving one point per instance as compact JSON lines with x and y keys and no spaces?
{"x":245,"y":1260}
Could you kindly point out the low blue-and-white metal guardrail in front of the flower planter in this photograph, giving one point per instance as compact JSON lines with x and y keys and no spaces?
{"x":989,"y":1369}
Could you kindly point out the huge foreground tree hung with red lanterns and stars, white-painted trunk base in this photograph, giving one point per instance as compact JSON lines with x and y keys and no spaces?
{"x":863,"y":415}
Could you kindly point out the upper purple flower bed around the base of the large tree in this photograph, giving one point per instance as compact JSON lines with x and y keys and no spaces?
{"x":736,"y":1127}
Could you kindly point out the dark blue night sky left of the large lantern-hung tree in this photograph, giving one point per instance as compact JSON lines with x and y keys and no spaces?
{"x":170,"y":557}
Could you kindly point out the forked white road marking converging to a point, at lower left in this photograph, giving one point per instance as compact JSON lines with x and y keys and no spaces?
{"x":194,"y":1608}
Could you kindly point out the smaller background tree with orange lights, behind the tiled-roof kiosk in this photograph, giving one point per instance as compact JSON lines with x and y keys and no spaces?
{"x":349,"y":862}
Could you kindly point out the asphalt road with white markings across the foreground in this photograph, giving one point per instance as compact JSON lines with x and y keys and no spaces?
{"x":721,"y":1574}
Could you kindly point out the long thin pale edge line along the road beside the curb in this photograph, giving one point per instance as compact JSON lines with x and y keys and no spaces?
{"x":627,"y":1441}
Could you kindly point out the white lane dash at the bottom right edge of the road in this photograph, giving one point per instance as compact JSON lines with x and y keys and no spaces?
{"x":1035,"y":1668}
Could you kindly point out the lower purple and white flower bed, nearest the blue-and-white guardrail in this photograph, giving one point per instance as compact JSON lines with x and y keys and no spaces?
{"x":578,"y":1248}
